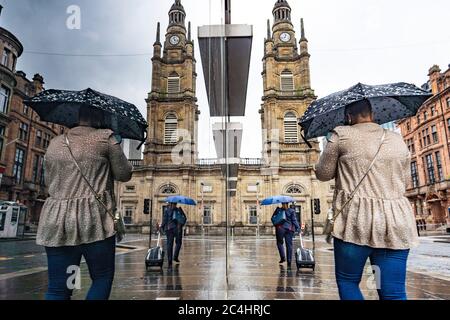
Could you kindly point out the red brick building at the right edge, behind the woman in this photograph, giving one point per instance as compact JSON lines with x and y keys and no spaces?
{"x":428,"y":137}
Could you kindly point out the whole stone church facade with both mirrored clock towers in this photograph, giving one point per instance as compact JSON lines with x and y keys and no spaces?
{"x":171,"y":165}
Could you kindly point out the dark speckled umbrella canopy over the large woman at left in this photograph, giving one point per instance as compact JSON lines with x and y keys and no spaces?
{"x":63,"y":107}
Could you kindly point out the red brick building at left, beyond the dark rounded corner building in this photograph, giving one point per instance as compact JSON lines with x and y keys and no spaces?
{"x":28,"y":139}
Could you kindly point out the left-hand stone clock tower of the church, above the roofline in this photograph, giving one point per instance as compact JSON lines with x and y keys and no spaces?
{"x":172,"y":104}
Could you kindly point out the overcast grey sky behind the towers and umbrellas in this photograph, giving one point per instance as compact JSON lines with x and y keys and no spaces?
{"x":370,"y":41}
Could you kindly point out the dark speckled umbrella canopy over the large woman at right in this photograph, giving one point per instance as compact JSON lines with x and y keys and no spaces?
{"x":389,"y":102}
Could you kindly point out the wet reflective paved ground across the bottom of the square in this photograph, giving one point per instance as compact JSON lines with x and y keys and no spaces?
{"x":254,"y":272}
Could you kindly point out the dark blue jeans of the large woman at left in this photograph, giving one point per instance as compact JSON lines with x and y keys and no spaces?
{"x":100,"y":258}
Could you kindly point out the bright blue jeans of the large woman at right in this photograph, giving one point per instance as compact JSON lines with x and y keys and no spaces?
{"x":350,"y":260}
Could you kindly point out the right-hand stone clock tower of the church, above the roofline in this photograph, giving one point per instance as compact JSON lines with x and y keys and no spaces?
{"x":287,"y":91}
